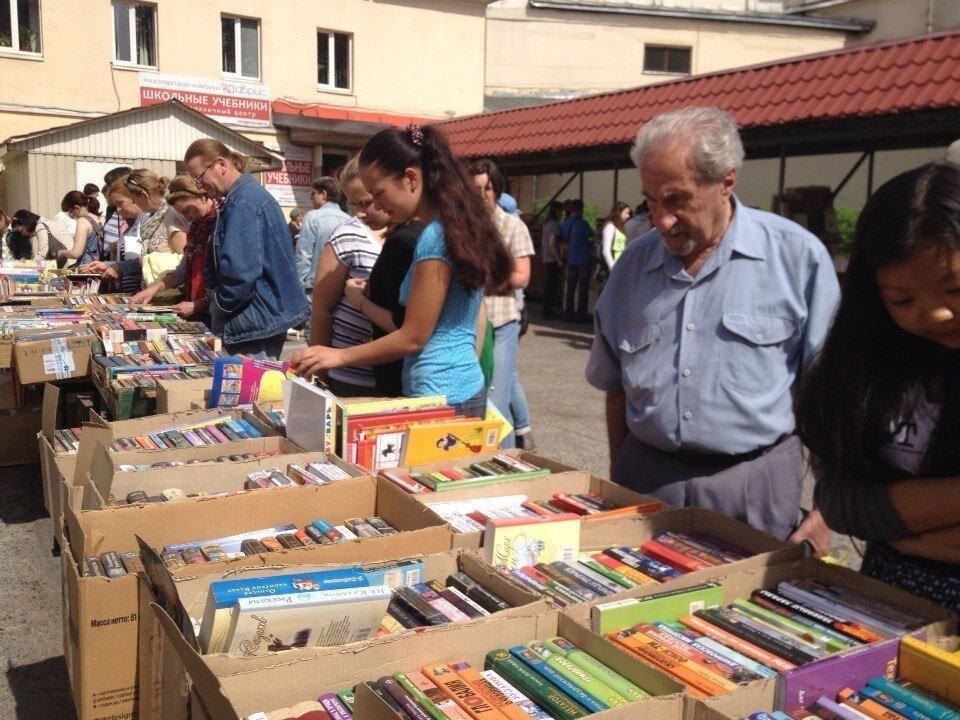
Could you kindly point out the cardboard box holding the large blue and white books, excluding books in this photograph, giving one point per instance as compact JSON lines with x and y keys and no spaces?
{"x":163,"y":695}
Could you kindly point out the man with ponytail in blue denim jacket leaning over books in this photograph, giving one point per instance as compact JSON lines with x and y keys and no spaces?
{"x":255,"y":296}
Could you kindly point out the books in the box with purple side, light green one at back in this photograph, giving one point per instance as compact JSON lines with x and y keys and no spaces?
{"x":712,"y":649}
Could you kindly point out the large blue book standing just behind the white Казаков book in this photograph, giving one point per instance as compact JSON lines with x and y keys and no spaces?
{"x":224,"y":594}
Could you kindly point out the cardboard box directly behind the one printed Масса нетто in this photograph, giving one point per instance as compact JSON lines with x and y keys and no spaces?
{"x":210,"y":477}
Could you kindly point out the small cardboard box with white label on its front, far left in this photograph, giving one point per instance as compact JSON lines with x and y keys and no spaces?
{"x":45,"y":360}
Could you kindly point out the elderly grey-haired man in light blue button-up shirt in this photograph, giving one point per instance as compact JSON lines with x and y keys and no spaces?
{"x":702,"y":331}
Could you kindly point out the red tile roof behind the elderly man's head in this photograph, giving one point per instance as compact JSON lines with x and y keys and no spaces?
{"x":879,"y":79}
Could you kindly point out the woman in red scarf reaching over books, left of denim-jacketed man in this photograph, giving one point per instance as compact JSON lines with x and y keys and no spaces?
{"x":201,"y":211}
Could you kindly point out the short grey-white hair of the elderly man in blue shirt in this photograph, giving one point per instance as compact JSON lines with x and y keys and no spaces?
{"x":709,"y":132}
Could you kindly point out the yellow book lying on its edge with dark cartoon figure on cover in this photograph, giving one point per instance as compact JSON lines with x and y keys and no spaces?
{"x":448,"y":439}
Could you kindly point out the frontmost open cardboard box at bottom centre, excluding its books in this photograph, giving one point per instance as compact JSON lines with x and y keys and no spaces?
{"x":226,"y":694}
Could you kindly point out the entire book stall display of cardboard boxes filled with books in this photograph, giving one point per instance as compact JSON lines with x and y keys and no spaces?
{"x":237,"y":542}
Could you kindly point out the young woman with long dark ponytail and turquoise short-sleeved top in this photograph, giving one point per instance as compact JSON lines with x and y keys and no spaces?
{"x":412,"y":173}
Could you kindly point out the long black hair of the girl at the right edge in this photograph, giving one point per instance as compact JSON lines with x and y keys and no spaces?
{"x":868,"y":365}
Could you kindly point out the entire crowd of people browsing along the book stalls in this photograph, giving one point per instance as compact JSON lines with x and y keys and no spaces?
{"x":722,"y":342}
